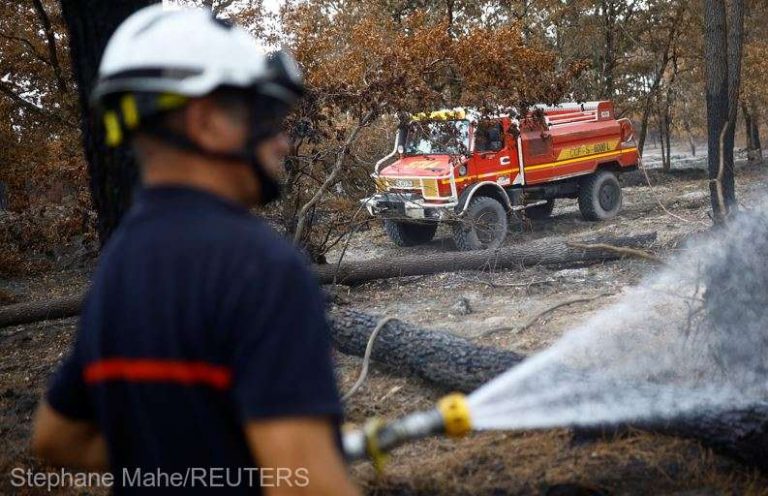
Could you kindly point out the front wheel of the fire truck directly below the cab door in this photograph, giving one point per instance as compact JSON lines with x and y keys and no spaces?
{"x":483,"y":227}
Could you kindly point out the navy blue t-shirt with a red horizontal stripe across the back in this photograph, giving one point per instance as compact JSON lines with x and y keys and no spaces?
{"x":199,"y":318}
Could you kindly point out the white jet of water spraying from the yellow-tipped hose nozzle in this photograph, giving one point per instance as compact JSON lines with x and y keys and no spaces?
{"x":691,"y":339}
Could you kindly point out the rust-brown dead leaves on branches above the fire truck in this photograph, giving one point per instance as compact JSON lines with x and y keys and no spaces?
{"x":358,"y":58}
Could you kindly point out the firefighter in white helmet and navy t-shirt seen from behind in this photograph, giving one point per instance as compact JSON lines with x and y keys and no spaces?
{"x":203,"y":343}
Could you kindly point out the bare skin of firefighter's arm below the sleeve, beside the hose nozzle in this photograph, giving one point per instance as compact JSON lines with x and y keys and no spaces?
{"x":306,"y":447}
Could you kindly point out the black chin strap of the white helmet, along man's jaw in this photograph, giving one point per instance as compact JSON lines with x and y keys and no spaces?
{"x":269,"y":188}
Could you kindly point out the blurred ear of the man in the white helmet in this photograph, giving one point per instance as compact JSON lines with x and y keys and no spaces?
{"x":211,"y":127}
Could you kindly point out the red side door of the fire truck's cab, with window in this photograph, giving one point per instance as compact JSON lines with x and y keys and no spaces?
{"x":492,"y":158}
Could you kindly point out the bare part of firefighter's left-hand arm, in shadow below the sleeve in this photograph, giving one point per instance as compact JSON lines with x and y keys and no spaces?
{"x":62,"y":441}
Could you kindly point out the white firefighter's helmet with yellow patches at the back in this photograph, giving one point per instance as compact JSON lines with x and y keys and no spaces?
{"x":177,"y":54}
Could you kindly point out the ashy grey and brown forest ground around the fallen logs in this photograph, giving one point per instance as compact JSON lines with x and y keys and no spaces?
{"x":547,"y":462}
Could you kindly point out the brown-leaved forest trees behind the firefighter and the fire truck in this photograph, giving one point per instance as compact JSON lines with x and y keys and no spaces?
{"x":366,"y":62}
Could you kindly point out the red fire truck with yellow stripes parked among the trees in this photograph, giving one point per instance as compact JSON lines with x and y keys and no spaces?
{"x":473,"y":170}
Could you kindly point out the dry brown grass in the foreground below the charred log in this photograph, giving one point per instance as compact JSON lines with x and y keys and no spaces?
{"x":548,"y":462}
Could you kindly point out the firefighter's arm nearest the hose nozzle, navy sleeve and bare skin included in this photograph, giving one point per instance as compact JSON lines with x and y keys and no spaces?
{"x":284,"y":382}
